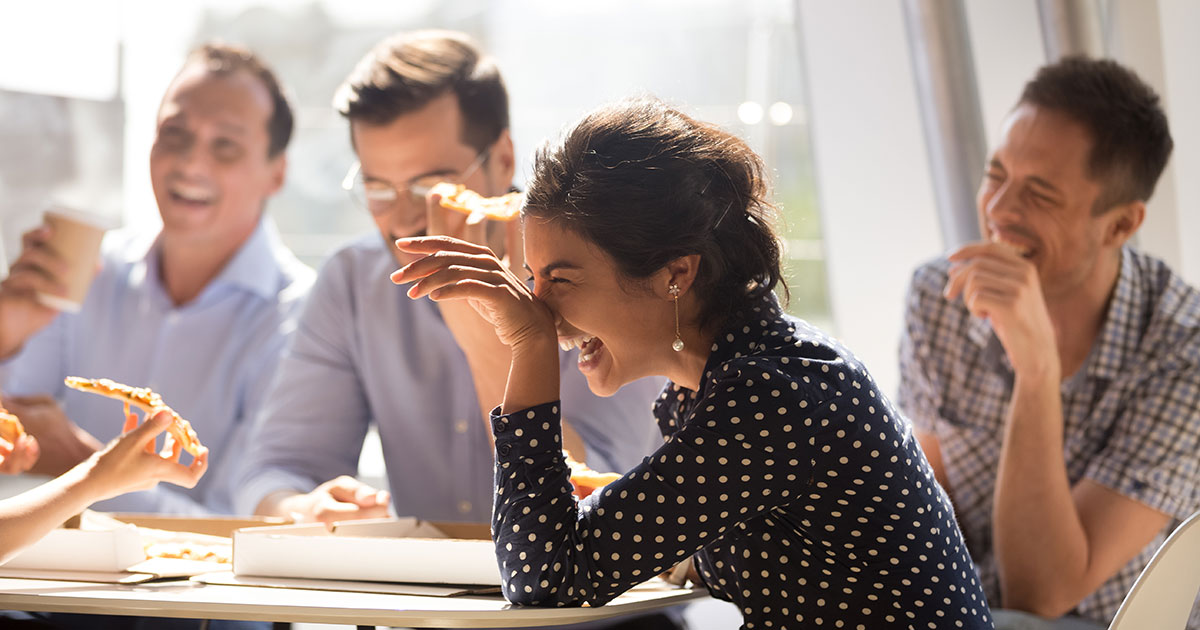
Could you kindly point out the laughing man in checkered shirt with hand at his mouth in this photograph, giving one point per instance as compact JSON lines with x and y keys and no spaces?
{"x":1052,"y":373}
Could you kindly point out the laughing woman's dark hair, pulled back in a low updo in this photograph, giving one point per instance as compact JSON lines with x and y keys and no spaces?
{"x":649,"y":184}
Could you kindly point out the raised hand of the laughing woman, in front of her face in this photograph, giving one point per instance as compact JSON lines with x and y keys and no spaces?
{"x":458,"y":271}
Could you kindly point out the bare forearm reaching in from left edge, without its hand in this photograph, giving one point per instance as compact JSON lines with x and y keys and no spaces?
{"x":31,"y":515}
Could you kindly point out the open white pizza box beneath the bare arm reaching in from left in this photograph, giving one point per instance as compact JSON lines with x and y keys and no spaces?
{"x":112,"y":548}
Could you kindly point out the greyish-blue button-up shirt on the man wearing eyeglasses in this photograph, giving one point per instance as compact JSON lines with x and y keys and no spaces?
{"x":365,"y":353}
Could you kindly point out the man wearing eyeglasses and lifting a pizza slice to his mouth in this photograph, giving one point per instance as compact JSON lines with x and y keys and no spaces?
{"x":424,"y":107}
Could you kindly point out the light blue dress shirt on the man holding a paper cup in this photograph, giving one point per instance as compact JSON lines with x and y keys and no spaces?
{"x":211,"y":359}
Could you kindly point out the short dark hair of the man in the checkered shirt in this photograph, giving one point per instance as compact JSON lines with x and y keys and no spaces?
{"x":1131,"y":139}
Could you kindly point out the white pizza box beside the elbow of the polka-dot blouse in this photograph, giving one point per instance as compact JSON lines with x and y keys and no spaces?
{"x":386,"y":550}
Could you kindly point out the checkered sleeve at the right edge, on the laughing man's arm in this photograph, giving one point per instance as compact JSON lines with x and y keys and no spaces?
{"x":1154,"y":454}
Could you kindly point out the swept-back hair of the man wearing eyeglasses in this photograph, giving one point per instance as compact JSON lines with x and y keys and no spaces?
{"x":407,"y":71}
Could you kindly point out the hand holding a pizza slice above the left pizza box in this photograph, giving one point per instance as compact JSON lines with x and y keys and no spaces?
{"x":130,"y":464}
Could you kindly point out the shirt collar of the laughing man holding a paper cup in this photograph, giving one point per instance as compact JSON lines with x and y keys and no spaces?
{"x":254,"y":268}
